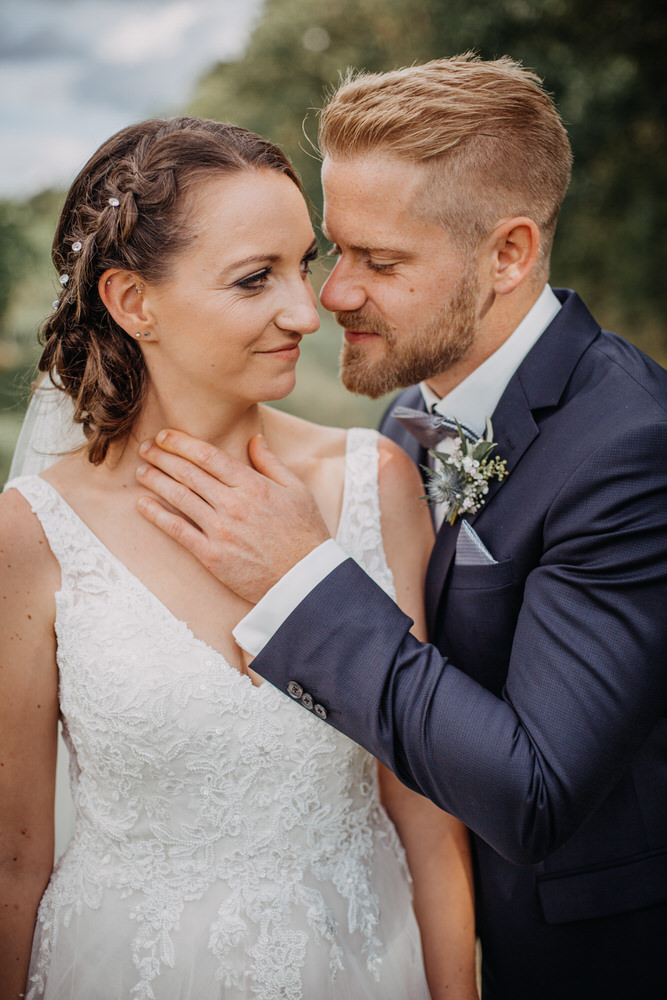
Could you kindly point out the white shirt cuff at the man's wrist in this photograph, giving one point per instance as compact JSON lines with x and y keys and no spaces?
{"x":254,"y":631}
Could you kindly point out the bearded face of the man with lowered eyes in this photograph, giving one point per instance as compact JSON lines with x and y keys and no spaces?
{"x":407,"y":298}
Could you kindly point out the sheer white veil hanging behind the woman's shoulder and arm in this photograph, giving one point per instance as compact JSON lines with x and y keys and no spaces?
{"x":49,"y":432}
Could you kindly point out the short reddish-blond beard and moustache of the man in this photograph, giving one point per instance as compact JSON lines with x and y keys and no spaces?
{"x":411,"y":356}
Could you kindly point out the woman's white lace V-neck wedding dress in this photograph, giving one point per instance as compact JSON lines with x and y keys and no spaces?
{"x":228,"y":844}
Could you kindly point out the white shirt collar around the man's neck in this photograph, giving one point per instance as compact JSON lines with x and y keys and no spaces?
{"x":477,"y":396}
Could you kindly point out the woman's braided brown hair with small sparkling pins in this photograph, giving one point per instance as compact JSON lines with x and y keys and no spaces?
{"x":127,"y":209}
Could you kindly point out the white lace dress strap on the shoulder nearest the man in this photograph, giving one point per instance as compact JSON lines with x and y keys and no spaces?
{"x":360,"y":531}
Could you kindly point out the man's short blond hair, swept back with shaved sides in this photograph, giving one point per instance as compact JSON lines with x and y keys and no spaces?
{"x":489,"y":136}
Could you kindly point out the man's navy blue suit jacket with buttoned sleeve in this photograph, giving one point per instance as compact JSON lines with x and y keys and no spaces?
{"x":538,"y":714}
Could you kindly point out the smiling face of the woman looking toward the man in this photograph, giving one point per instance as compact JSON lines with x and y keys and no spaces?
{"x":227,"y":322}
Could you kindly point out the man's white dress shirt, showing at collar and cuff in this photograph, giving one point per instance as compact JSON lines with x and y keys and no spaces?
{"x":471,"y":401}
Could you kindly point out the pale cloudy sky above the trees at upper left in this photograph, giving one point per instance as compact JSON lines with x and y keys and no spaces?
{"x":73,"y":72}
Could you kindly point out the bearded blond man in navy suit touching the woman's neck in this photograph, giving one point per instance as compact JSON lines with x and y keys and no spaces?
{"x":538,"y":714}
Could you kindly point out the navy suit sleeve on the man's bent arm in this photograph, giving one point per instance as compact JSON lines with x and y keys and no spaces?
{"x":586,"y":681}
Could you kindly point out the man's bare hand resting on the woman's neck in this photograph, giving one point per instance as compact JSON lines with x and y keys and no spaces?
{"x":247,"y":526}
